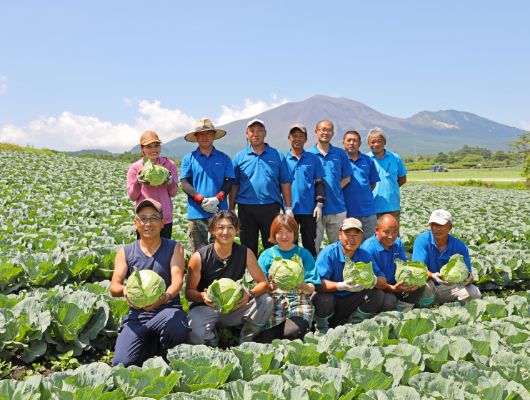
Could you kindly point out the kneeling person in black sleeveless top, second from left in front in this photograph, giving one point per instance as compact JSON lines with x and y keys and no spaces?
{"x":225,"y":259}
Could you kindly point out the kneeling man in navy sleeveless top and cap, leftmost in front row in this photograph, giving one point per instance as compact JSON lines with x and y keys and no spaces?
{"x":153,"y":329}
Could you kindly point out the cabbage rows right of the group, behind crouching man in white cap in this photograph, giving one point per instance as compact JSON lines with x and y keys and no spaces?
{"x":494,"y":223}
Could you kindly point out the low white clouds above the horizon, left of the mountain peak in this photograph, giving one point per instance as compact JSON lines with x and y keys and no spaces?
{"x":69,"y":131}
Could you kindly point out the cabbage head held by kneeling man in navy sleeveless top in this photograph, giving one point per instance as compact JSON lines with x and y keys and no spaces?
{"x":144,"y":288}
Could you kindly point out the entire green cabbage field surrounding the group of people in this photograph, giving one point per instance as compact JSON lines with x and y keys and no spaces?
{"x":62,"y":219}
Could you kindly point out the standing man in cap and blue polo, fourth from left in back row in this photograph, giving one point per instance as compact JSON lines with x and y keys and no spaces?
{"x":307,"y":188}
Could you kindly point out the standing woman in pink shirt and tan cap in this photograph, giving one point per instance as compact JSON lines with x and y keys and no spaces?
{"x":150,"y":147}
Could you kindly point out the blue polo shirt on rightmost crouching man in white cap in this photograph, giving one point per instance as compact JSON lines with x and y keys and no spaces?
{"x":426,"y":251}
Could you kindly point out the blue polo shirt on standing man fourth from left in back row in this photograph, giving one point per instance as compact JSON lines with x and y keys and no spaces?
{"x":304,"y":171}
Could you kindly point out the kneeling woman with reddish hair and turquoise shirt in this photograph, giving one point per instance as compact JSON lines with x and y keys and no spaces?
{"x":293,"y":312}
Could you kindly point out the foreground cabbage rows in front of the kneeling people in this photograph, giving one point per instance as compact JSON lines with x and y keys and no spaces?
{"x":473,"y":351}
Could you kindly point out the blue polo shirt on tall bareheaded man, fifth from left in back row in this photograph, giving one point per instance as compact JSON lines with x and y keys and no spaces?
{"x":336,"y":167}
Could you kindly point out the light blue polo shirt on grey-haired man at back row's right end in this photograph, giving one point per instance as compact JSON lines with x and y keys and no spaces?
{"x":386,"y":192}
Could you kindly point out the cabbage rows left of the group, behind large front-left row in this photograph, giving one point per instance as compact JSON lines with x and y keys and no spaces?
{"x":62,"y":219}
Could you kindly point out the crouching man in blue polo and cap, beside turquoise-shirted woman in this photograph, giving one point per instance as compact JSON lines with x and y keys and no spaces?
{"x":338,"y":301}
